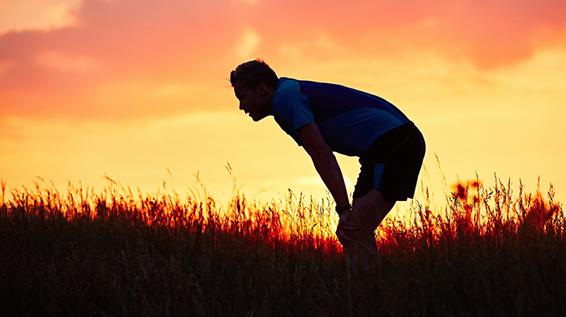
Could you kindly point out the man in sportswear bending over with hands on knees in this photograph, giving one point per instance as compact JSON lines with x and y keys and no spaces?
{"x":323,"y":118}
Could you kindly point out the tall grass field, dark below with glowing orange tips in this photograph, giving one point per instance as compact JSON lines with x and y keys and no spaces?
{"x":82,"y":254}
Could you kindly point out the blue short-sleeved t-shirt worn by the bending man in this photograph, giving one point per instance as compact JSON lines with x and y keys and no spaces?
{"x":349,"y":120}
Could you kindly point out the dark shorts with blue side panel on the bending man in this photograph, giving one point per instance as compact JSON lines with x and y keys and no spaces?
{"x":392,"y":164}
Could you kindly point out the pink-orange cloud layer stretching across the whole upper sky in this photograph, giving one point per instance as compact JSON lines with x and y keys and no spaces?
{"x":61,"y":72}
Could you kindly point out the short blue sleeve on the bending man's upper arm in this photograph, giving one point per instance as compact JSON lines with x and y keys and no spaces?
{"x":291,"y":111}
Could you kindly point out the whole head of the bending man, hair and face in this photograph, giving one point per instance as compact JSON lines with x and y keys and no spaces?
{"x":254,"y":83}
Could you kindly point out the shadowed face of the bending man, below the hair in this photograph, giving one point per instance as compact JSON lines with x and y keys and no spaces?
{"x":255,"y":102}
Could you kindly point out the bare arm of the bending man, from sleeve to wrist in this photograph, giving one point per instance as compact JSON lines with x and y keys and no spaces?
{"x":324,"y":162}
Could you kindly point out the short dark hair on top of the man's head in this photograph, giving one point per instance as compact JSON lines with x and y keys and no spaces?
{"x":251,"y":73}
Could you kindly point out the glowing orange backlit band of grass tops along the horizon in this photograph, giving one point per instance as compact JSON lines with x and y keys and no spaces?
{"x":471,"y":210}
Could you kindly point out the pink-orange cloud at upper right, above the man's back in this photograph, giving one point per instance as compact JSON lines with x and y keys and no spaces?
{"x":489,"y":34}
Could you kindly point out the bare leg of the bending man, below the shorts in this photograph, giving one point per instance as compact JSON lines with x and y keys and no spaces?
{"x":356,"y":229}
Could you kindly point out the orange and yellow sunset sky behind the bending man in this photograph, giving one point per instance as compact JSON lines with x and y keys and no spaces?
{"x":138,"y":90}
